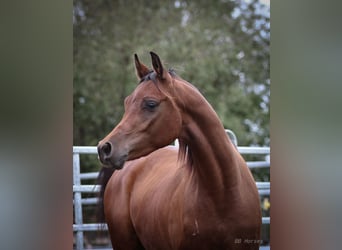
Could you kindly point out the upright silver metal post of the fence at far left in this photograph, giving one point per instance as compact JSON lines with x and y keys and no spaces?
{"x":78,"y":201}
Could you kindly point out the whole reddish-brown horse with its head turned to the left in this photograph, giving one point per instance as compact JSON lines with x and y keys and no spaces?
{"x":200,"y":195}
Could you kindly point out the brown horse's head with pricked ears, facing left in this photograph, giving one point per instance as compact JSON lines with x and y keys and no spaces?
{"x":151,"y":120}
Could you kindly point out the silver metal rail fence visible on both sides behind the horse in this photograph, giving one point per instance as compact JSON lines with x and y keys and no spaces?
{"x":79,"y":227}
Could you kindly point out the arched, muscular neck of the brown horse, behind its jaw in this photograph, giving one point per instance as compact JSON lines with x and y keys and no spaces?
{"x":214,"y":159}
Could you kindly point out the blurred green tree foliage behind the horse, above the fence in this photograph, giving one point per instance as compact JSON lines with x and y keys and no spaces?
{"x":222,"y":47}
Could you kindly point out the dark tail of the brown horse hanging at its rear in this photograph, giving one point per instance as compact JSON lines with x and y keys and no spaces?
{"x":102,"y":180}
